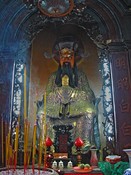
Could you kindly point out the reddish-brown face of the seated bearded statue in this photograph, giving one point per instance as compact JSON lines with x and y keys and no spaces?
{"x":67,"y":57}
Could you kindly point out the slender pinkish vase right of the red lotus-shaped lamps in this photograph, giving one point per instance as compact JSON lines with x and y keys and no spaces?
{"x":94,"y":159}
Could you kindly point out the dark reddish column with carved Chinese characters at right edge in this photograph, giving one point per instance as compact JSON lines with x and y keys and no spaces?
{"x":121,"y":85}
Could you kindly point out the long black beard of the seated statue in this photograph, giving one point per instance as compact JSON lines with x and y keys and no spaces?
{"x":66,"y":69}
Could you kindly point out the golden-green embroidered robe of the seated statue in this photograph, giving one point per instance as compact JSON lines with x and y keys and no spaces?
{"x":67,"y":105}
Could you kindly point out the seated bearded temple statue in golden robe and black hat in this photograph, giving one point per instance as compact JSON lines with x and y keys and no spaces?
{"x":70,"y":100}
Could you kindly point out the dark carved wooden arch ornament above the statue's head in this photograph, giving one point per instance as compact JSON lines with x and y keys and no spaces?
{"x":79,"y":16}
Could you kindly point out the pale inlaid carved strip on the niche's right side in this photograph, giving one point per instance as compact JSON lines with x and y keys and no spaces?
{"x":107,"y":96}
